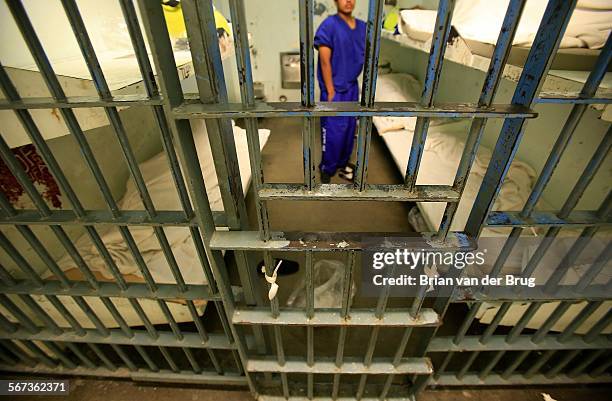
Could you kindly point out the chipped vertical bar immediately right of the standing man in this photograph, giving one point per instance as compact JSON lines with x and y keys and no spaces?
{"x":368,"y":92}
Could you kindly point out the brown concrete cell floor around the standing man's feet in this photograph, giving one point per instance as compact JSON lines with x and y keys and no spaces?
{"x":282,"y":163}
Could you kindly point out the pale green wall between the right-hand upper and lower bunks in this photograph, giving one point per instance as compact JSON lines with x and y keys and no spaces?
{"x":462,"y":84}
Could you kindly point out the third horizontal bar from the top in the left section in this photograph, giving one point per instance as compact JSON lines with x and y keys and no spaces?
{"x":110,"y":289}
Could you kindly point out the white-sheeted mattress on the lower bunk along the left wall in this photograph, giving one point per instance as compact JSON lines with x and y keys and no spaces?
{"x":161,"y":187}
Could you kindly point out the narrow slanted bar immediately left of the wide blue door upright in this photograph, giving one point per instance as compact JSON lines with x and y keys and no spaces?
{"x":490,"y":85}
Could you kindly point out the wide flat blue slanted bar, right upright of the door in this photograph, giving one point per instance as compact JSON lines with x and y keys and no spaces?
{"x":546,"y":42}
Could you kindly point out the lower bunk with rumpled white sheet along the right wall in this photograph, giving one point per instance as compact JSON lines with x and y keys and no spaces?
{"x":442,"y":151}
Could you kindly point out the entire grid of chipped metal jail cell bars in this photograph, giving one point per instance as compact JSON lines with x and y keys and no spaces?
{"x":72,"y":348}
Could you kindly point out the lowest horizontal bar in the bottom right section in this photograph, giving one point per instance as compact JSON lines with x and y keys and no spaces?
{"x":450,"y":379}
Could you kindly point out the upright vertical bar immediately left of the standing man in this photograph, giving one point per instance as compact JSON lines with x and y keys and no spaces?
{"x":306,"y":9}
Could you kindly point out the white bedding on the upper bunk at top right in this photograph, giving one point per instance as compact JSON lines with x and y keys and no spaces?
{"x":481,"y":20}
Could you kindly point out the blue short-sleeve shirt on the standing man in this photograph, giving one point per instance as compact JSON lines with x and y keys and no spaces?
{"x":348,"y":51}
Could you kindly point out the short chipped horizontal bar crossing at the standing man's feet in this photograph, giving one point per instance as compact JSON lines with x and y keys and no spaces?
{"x":380,"y":192}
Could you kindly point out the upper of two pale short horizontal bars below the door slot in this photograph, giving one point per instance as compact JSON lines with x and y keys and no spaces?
{"x":391,"y":318}
